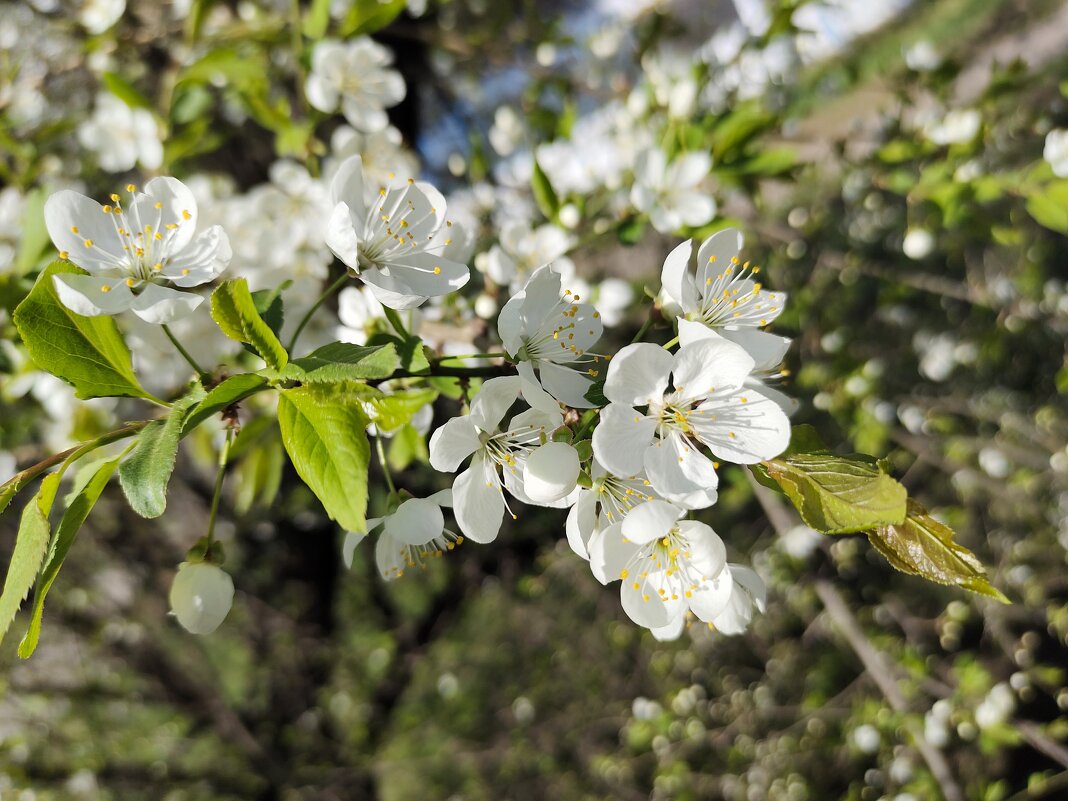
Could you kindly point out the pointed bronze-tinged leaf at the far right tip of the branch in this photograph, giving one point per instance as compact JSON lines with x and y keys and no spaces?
{"x":922,"y":546}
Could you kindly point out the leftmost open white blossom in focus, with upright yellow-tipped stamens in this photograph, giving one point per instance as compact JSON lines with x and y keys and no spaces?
{"x":135,"y":255}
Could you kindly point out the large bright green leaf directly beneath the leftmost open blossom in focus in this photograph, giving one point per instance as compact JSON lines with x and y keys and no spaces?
{"x":87,"y":353}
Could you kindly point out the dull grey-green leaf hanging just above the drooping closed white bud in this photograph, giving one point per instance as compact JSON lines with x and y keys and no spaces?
{"x":146,"y":475}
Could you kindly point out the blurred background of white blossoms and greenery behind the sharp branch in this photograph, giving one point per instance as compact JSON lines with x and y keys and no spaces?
{"x":899,"y":168}
